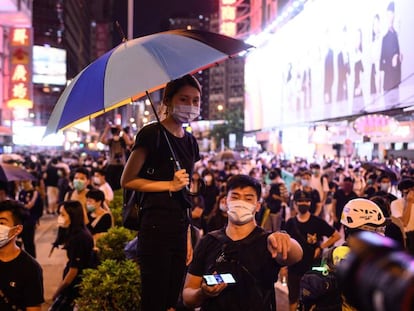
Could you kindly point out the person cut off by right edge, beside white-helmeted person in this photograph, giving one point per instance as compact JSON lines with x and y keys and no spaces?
{"x":401,"y":208}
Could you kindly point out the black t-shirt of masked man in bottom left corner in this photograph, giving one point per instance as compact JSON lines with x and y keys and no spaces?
{"x":21,"y":283}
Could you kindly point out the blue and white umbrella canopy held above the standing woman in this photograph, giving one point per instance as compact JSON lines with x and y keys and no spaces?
{"x":134,"y":67}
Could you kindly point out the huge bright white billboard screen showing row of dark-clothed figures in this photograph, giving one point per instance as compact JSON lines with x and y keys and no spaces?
{"x":336,"y":58}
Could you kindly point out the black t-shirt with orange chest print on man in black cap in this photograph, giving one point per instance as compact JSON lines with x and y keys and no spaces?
{"x":309,"y":235}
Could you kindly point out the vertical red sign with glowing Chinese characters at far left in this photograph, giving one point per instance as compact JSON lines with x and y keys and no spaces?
{"x":20,"y":85}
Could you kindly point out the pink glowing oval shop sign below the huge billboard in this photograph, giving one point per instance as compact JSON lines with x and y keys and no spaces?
{"x":375,"y":125}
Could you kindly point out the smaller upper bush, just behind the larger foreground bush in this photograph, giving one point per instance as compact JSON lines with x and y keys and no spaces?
{"x":111,"y":245}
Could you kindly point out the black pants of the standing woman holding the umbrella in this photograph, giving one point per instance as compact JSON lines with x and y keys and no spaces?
{"x":162,"y":250}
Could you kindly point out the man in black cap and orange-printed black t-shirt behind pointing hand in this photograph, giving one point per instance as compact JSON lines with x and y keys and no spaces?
{"x":309,"y":231}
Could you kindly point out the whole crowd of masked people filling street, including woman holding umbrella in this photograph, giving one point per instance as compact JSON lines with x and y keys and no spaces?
{"x":257,"y":217}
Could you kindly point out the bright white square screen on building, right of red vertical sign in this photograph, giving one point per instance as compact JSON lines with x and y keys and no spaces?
{"x":49,"y":65}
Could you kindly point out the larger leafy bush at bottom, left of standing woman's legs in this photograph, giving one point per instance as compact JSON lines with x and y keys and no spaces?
{"x":114,"y":285}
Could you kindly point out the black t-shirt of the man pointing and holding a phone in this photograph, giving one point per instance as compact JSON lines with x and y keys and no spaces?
{"x":251,"y":264}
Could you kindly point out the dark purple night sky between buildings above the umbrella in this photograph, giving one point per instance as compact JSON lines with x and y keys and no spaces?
{"x":152,"y":15}
